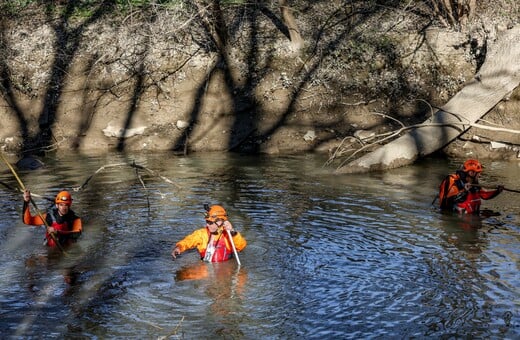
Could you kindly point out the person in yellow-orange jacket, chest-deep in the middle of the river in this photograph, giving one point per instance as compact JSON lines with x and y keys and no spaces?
{"x":213,"y":242}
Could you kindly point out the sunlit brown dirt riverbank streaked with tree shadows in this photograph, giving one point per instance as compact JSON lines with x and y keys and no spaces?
{"x":123,"y":85}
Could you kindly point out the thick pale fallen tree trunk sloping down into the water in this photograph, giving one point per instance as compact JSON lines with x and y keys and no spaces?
{"x":498,"y":76}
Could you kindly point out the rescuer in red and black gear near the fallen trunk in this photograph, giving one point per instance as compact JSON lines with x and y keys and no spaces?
{"x":461,"y":191}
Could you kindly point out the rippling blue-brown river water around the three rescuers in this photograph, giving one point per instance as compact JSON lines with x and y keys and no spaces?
{"x":328,"y":256}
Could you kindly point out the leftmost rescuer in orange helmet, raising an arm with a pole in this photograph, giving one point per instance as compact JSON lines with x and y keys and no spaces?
{"x":60,"y":220}
